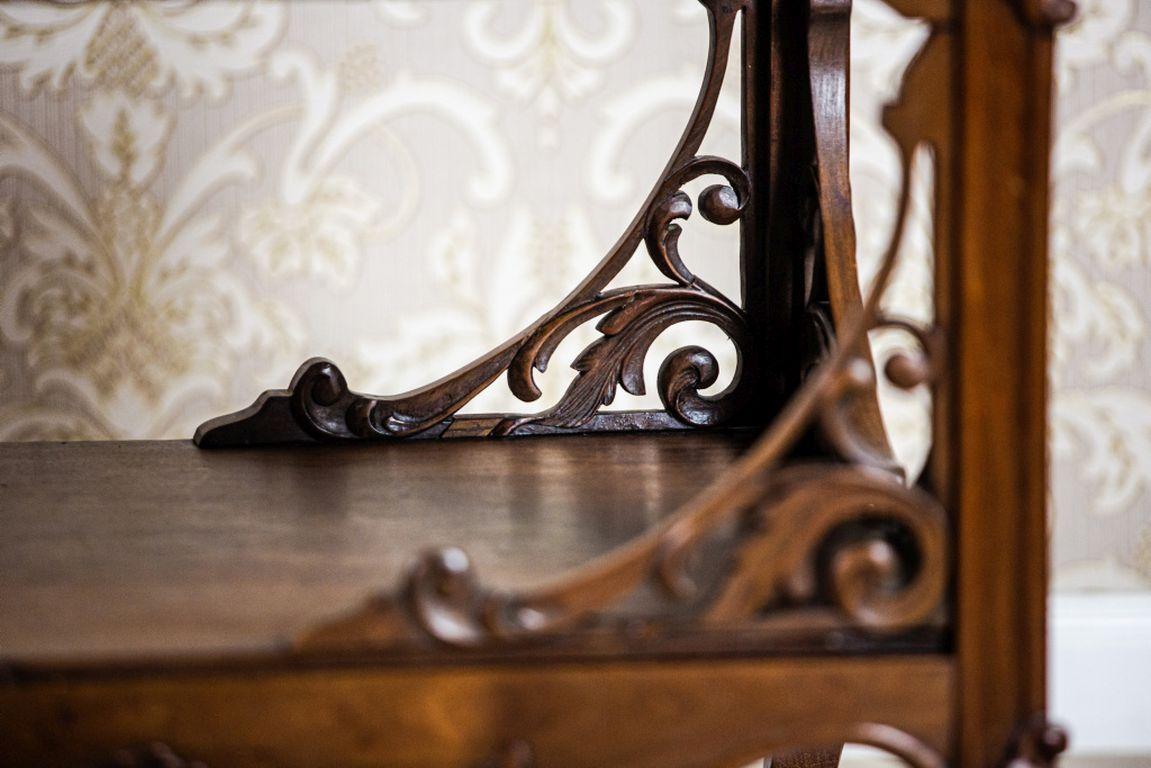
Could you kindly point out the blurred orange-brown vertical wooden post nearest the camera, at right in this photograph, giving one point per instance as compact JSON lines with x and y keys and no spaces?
{"x":1000,"y":283}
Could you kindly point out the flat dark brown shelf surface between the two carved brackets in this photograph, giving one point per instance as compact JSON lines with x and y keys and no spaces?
{"x":157,"y":549}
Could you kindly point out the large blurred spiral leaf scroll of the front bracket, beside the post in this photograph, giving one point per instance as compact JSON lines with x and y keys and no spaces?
{"x":852,"y":537}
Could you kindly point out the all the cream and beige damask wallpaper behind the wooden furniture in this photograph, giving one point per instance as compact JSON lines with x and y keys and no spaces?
{"x":197,"y":196}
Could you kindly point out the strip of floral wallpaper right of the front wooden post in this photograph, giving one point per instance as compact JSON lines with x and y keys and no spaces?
{"x":1101,"y":253}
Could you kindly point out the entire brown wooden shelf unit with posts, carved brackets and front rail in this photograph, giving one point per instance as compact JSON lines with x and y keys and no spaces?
{"x":303,"y":607}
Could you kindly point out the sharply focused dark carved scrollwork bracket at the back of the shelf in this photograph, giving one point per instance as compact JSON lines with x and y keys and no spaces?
{"x":319,"y":405}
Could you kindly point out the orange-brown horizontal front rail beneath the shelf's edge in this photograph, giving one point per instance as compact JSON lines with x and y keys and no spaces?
{"x":634,"y":716}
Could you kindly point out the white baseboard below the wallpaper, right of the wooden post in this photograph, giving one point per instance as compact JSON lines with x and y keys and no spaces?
{"x":1100,"y":672}
